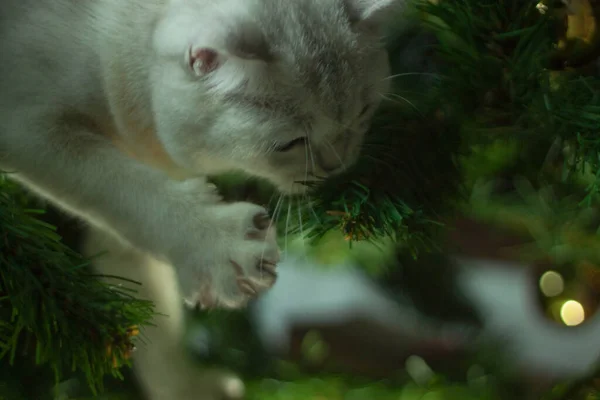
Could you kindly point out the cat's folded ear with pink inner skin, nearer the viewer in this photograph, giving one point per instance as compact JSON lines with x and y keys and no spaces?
{"x":245,"y":43}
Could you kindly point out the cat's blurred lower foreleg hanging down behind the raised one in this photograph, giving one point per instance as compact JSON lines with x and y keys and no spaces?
{"x":164,"y":371}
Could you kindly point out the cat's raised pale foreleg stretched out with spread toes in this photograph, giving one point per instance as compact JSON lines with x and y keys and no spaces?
{"x":223,"y":254}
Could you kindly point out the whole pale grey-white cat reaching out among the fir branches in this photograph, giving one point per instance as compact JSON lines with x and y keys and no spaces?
{"x":116,"y":110}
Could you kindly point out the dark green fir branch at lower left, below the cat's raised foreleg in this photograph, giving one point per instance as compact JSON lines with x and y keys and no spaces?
{"x":51,"y":308}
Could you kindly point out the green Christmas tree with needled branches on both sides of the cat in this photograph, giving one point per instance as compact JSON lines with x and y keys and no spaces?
{"x":493,"y":119}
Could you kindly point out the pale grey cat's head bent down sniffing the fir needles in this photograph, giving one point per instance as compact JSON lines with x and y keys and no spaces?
{"x":283,"y":89}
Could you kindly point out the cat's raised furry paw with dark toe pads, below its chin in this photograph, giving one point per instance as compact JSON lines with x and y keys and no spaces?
{"x":242,"y":261}
